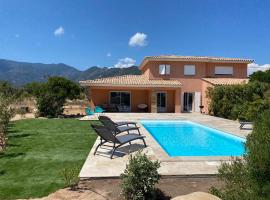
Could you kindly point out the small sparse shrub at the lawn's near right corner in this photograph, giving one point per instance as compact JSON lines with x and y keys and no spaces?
{"x":71,"y":177}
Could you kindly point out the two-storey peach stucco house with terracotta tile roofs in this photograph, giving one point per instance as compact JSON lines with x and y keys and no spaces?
{"x":167,"y":84}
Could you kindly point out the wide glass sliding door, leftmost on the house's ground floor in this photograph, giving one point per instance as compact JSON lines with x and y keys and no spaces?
{"x":121,"y":100}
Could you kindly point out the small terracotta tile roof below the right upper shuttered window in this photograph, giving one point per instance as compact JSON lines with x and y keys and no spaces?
{"x":226,"y":81}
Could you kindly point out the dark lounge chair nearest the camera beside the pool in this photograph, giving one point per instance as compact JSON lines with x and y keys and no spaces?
{"x":107,"y":136}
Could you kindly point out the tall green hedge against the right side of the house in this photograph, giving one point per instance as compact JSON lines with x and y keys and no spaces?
{"x":242,"y":102}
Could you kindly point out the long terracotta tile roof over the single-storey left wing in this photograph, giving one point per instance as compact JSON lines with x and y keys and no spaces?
{"x":130,"y":80}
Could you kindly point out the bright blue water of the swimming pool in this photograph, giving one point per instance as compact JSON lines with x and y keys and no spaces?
{"x":185,"y":138}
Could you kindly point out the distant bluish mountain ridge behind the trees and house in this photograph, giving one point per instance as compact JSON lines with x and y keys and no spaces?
{"x":20,"y":73}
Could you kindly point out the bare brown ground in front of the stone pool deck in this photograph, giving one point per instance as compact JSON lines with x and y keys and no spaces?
{"x":104,"y":189}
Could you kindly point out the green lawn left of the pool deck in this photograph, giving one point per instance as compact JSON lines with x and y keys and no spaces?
{"x":38,"y":150}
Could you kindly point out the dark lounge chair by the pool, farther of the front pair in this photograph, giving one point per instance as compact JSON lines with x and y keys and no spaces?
{"x":120,"y":127}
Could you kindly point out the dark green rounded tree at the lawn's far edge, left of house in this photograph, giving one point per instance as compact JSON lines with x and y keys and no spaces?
{"x":52,"y":95}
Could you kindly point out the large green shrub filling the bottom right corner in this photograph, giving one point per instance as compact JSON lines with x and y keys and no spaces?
{"x":249,"y":178}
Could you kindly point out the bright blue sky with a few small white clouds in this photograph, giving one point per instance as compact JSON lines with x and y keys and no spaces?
{"x":86,"y":33}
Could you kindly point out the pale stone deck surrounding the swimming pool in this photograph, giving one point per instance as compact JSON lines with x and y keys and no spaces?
{"x":101,"y":166}
